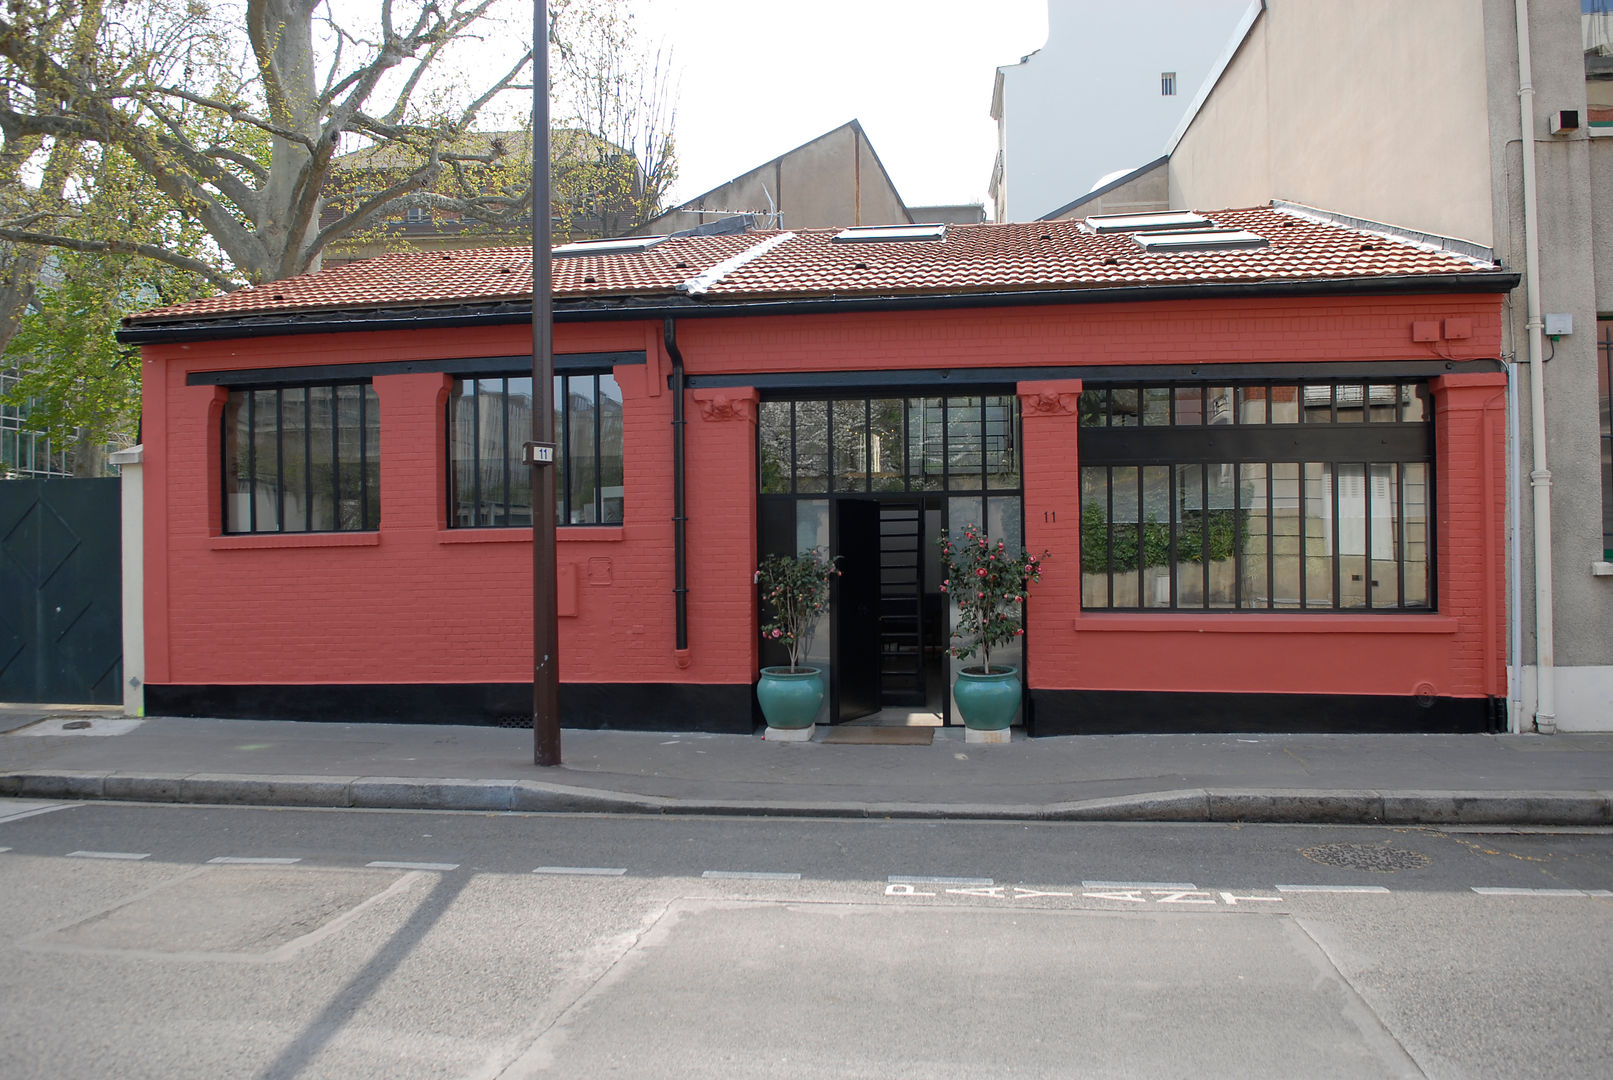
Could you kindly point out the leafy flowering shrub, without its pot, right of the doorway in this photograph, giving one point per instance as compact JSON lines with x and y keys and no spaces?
{"x":990,"y":588}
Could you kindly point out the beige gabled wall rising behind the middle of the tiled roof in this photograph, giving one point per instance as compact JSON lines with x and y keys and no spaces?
{"x":828,"y":183}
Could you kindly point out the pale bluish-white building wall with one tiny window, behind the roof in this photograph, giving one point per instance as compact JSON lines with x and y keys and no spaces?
{"x":1091,"y":101}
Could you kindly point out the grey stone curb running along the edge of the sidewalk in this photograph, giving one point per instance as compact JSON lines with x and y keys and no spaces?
{"x":1193,"y":805}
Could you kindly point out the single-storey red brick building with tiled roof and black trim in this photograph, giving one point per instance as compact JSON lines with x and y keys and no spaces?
{"x":1265,"y":452}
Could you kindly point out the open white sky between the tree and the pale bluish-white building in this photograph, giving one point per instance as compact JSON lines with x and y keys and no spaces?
{"x":762,"y":77}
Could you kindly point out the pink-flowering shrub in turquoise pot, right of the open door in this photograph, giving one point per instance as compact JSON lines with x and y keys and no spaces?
{"x":990,"y":586}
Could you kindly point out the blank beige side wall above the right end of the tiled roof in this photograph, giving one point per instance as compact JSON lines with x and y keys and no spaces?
{"x":1346,"y":107}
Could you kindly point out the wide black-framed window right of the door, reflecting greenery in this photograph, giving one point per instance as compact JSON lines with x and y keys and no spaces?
{"x":1257,"y":497}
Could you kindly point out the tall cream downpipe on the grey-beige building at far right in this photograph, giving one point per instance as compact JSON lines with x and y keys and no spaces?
{"x":1541,"y":475}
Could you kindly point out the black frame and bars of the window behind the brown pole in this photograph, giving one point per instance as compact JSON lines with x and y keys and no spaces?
{"x":515,"y":470}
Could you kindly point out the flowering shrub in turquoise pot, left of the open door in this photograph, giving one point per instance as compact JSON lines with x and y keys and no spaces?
{"x":796,"y":592}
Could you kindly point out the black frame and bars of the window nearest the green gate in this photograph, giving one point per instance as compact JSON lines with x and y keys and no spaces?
{"x":369,"y":418}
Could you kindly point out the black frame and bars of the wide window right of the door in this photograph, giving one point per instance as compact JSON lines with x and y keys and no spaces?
{"x":1123,"y":439}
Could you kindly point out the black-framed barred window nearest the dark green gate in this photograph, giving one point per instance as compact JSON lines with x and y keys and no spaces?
{"x":302,"y":459}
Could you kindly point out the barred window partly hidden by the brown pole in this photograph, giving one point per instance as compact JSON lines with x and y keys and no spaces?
{"x":491,"y":418}
